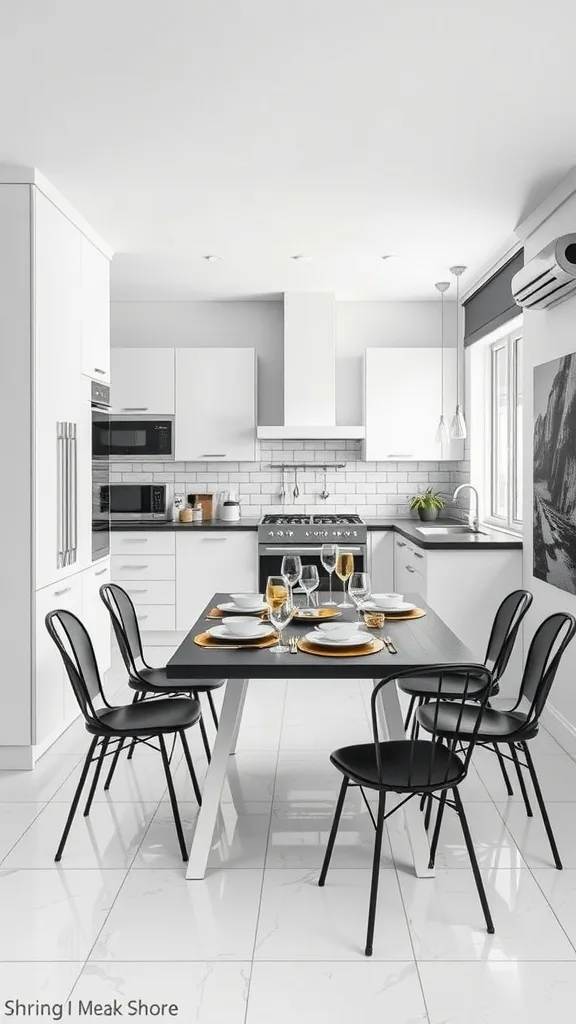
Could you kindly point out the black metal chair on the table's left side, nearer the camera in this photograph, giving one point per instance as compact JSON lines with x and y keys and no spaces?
{"x":140,"y":723}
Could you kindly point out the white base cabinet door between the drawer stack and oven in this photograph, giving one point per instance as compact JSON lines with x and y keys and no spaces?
{"x":211,"y":563}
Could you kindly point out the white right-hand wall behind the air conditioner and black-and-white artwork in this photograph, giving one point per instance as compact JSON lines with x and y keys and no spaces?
{"x":549,"y":335}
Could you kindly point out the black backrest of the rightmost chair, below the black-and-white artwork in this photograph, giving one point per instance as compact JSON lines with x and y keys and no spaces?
{"x":549,"y":645}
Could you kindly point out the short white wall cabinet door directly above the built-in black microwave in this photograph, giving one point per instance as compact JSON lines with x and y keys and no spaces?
{"x":143,"y":381}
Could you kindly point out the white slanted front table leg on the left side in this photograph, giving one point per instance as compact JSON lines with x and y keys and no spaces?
{"x":228,"y":731}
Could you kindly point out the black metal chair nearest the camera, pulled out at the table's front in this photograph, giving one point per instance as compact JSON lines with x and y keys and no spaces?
{"x":414,"y":767}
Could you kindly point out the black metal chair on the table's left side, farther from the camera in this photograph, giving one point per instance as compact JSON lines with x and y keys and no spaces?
{"x":149,"y":682}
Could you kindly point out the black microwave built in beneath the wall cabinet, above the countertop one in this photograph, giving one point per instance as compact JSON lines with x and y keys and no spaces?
{"x":138,"y":440}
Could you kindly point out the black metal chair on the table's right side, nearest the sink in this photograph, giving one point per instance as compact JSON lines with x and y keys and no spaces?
{"x":503,"y":638}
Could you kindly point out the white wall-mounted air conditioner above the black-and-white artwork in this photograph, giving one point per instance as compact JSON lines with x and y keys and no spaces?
{"x":549,"y":278}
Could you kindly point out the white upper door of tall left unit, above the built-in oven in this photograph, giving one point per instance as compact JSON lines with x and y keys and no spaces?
{"x":96,"y":313}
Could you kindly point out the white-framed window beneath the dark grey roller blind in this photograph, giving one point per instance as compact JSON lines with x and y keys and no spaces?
{"x":505,"y":462}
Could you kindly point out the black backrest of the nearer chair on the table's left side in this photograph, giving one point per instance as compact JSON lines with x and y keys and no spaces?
{"x":75,"y":647}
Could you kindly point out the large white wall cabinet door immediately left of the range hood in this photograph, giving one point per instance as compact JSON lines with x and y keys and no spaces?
{"x":216,"y":405}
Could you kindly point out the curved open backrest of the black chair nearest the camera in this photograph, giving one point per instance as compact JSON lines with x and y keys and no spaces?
{"x":431,"y":773}
